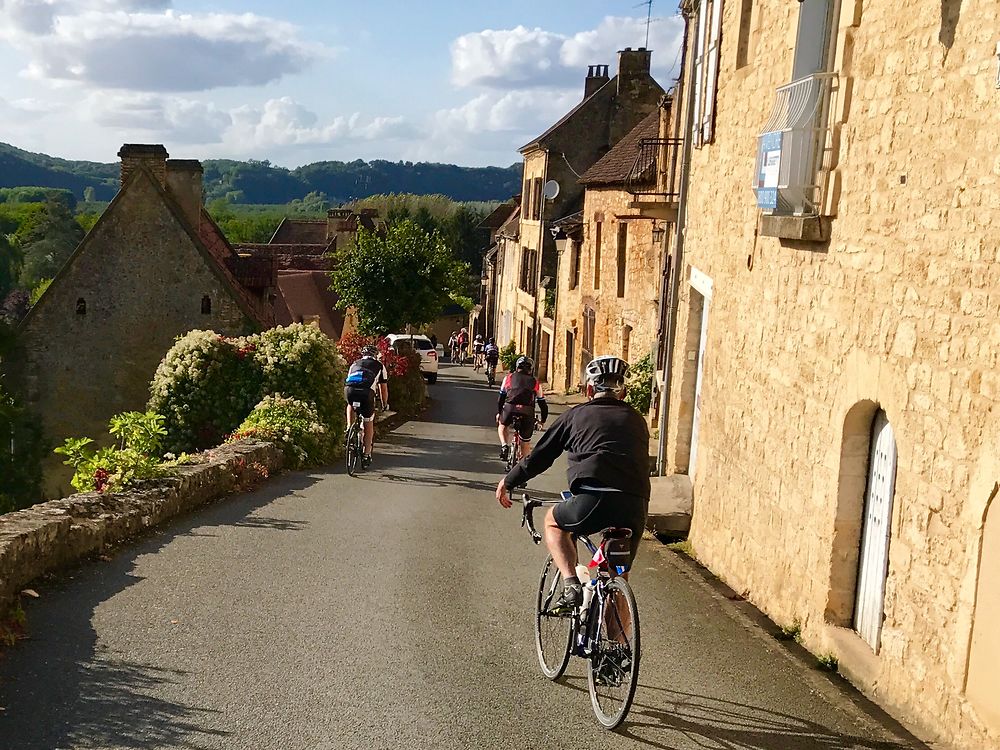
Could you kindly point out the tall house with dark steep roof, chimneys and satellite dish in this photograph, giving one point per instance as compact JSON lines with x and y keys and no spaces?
{"x":611,"y":107}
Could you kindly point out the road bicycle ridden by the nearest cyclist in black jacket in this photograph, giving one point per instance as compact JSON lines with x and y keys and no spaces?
{"x":604,"y":630}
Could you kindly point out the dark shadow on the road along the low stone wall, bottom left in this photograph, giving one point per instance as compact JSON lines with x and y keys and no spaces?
{"x":59,"y":689}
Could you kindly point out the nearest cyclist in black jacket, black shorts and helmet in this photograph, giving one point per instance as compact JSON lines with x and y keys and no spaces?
{"x":608,"y":445}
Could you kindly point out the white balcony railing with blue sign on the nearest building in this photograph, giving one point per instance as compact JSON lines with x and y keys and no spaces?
{"x":791,"y":145}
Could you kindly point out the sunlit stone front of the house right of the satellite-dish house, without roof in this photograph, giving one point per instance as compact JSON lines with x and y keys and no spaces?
{"x":624,"y":326}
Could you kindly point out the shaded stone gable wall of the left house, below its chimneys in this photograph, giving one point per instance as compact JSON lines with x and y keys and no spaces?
{"x":89,"y":348}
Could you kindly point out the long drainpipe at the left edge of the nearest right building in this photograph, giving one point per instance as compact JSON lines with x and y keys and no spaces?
{"x":678,"y":257}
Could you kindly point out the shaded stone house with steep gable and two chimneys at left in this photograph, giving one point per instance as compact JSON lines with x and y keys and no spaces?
{"x":153,"y":267}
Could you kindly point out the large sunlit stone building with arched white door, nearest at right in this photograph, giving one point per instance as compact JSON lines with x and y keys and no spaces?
{"x":835,"y":364}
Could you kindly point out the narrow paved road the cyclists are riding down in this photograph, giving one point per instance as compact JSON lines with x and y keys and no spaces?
{"x":387,"y":611}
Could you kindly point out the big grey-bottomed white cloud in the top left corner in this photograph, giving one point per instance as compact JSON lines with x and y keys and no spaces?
{"x":143,"y":45}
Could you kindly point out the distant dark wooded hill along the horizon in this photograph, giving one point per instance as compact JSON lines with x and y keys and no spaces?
{"x":261,"y":182}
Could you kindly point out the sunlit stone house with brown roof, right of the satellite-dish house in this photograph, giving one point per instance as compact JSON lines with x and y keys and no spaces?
{"x":610,"y":260}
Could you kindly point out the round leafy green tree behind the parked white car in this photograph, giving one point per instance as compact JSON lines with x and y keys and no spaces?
{"x":405,"y":277}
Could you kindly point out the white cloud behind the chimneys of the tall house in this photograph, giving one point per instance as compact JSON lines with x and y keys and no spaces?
{"x":522,"y":57}
